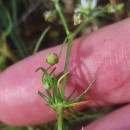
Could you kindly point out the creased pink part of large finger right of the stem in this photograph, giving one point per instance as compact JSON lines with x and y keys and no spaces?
{"x":103,"y":55}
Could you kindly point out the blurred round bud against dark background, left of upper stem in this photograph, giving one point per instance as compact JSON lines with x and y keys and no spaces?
{"x":50,"y":15}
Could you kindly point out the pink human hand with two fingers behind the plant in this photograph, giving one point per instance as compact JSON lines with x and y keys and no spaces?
{"x":103,"y":54}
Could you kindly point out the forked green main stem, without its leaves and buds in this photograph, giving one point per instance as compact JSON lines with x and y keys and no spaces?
{"x":69,"y":39}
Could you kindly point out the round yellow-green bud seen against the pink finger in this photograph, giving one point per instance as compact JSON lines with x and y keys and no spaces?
{"x":52,"y":58}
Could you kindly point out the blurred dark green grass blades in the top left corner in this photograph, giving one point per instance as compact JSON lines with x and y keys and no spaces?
{"x":9,"y":23}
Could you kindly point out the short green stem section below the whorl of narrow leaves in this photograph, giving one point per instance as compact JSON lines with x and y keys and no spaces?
{"x":59,"y":118}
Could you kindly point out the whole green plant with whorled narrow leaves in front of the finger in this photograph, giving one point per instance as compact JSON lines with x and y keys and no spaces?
{"x":57,"y":99}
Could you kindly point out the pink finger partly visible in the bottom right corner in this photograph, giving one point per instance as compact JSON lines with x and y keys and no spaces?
{"x":117,"y":120}
